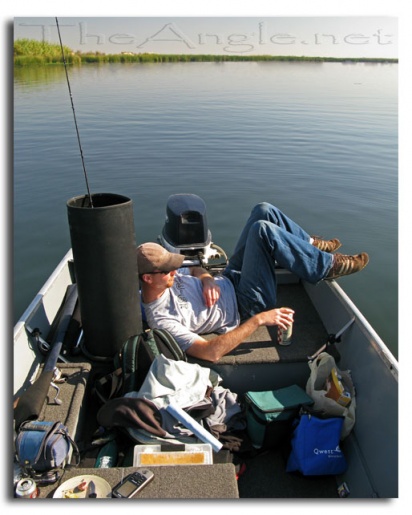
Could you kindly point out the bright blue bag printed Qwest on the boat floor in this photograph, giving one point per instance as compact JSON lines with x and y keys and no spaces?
{"x":315,"y":446}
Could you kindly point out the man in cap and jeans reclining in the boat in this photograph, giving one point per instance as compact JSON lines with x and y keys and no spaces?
{"x":189,"y":302}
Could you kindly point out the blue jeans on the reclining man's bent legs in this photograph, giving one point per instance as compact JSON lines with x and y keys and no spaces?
{"x":270,"y":237}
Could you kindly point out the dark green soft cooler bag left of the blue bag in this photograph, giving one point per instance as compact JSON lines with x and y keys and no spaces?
{"x":270,"y":414}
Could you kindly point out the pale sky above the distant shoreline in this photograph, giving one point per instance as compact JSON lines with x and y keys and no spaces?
{"x":324,"y":36}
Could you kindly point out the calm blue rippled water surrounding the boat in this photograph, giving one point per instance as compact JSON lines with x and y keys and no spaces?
{"x":318,"y":140}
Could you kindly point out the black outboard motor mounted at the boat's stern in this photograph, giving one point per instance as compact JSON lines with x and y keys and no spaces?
{"x":186,"y":232}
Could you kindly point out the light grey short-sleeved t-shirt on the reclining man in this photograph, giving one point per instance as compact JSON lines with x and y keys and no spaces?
{"x":182,"y":311}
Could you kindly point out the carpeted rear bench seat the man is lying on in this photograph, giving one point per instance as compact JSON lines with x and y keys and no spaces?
{"x":260,"y":363}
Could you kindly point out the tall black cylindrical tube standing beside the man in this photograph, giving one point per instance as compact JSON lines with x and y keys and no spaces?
{"x":104,"y":254}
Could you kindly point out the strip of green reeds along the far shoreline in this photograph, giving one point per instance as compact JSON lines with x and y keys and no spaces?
{"x":30,"y":52}
